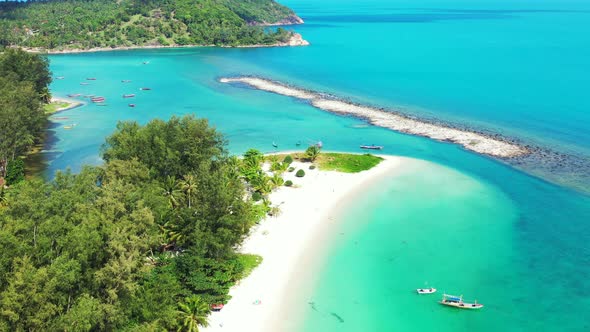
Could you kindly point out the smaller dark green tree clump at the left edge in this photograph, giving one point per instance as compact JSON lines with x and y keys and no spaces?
{"x":24,"y":80}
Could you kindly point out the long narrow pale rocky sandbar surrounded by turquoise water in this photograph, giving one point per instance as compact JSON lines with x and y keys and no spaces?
{"x":469,"y":139}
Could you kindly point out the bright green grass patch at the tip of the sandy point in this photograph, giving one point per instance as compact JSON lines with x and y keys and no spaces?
{"x":341,"y":162}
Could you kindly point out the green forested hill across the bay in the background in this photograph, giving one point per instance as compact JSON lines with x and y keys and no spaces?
{"x":85,"y":24}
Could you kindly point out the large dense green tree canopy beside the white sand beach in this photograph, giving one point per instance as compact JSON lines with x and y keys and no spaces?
{"x":145,"y":242}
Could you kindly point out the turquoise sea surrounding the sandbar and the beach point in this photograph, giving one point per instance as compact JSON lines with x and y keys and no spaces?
{"x":460,"y":222}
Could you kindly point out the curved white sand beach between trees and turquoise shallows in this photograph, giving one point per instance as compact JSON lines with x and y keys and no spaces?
{"x":289,"y":241}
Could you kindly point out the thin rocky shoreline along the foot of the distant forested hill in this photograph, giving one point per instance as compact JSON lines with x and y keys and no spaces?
{"x":295,"y":40}
